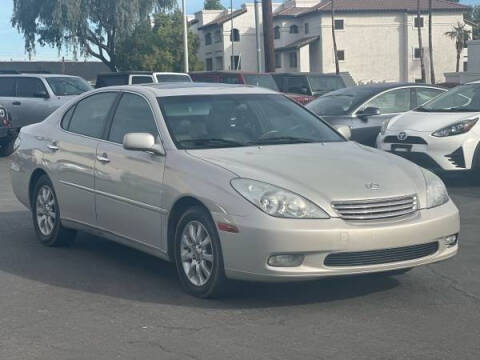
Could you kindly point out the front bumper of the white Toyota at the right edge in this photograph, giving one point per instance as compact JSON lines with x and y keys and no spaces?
{"x":453,"y":153}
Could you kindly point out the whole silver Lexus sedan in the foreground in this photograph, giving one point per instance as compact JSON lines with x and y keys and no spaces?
{"x":228,"y":182}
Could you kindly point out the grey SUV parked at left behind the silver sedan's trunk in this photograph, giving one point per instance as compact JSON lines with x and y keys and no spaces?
{"x":30,"y":98}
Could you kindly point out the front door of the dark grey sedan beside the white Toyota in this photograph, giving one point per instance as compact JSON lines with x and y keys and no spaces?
{"x":365,"y":128}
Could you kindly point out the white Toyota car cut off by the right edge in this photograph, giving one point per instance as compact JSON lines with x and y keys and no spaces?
{"x":443,"y":134}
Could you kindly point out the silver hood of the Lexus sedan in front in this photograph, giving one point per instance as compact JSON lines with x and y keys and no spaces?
{"x":322,"y":172}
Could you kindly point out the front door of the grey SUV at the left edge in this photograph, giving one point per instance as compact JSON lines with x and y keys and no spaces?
{"x":33,"y":101}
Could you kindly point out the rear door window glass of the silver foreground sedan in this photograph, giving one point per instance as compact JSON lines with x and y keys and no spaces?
{"x":91,"y":115}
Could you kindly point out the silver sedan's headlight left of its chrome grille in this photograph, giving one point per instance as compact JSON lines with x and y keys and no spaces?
{"x":276,"y":201}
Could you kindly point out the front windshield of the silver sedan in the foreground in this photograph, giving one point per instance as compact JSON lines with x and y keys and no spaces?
{"x":219,"y":121}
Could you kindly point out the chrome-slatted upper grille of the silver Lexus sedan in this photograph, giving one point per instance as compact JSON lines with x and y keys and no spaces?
{"x":377,"y":208}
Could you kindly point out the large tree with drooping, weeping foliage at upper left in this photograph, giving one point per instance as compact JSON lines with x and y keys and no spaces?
{"x":91,"y":27}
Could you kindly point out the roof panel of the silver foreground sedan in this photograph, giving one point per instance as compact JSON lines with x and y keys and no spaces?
{"x":180,"y":89}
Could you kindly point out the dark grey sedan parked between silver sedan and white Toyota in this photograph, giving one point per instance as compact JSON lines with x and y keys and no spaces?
{"x":365,"y":108}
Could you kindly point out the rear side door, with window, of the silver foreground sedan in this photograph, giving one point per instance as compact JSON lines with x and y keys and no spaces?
{"x":72,"y":156}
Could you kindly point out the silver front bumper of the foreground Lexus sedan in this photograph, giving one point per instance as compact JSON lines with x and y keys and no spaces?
{"x":260,"y":236}
